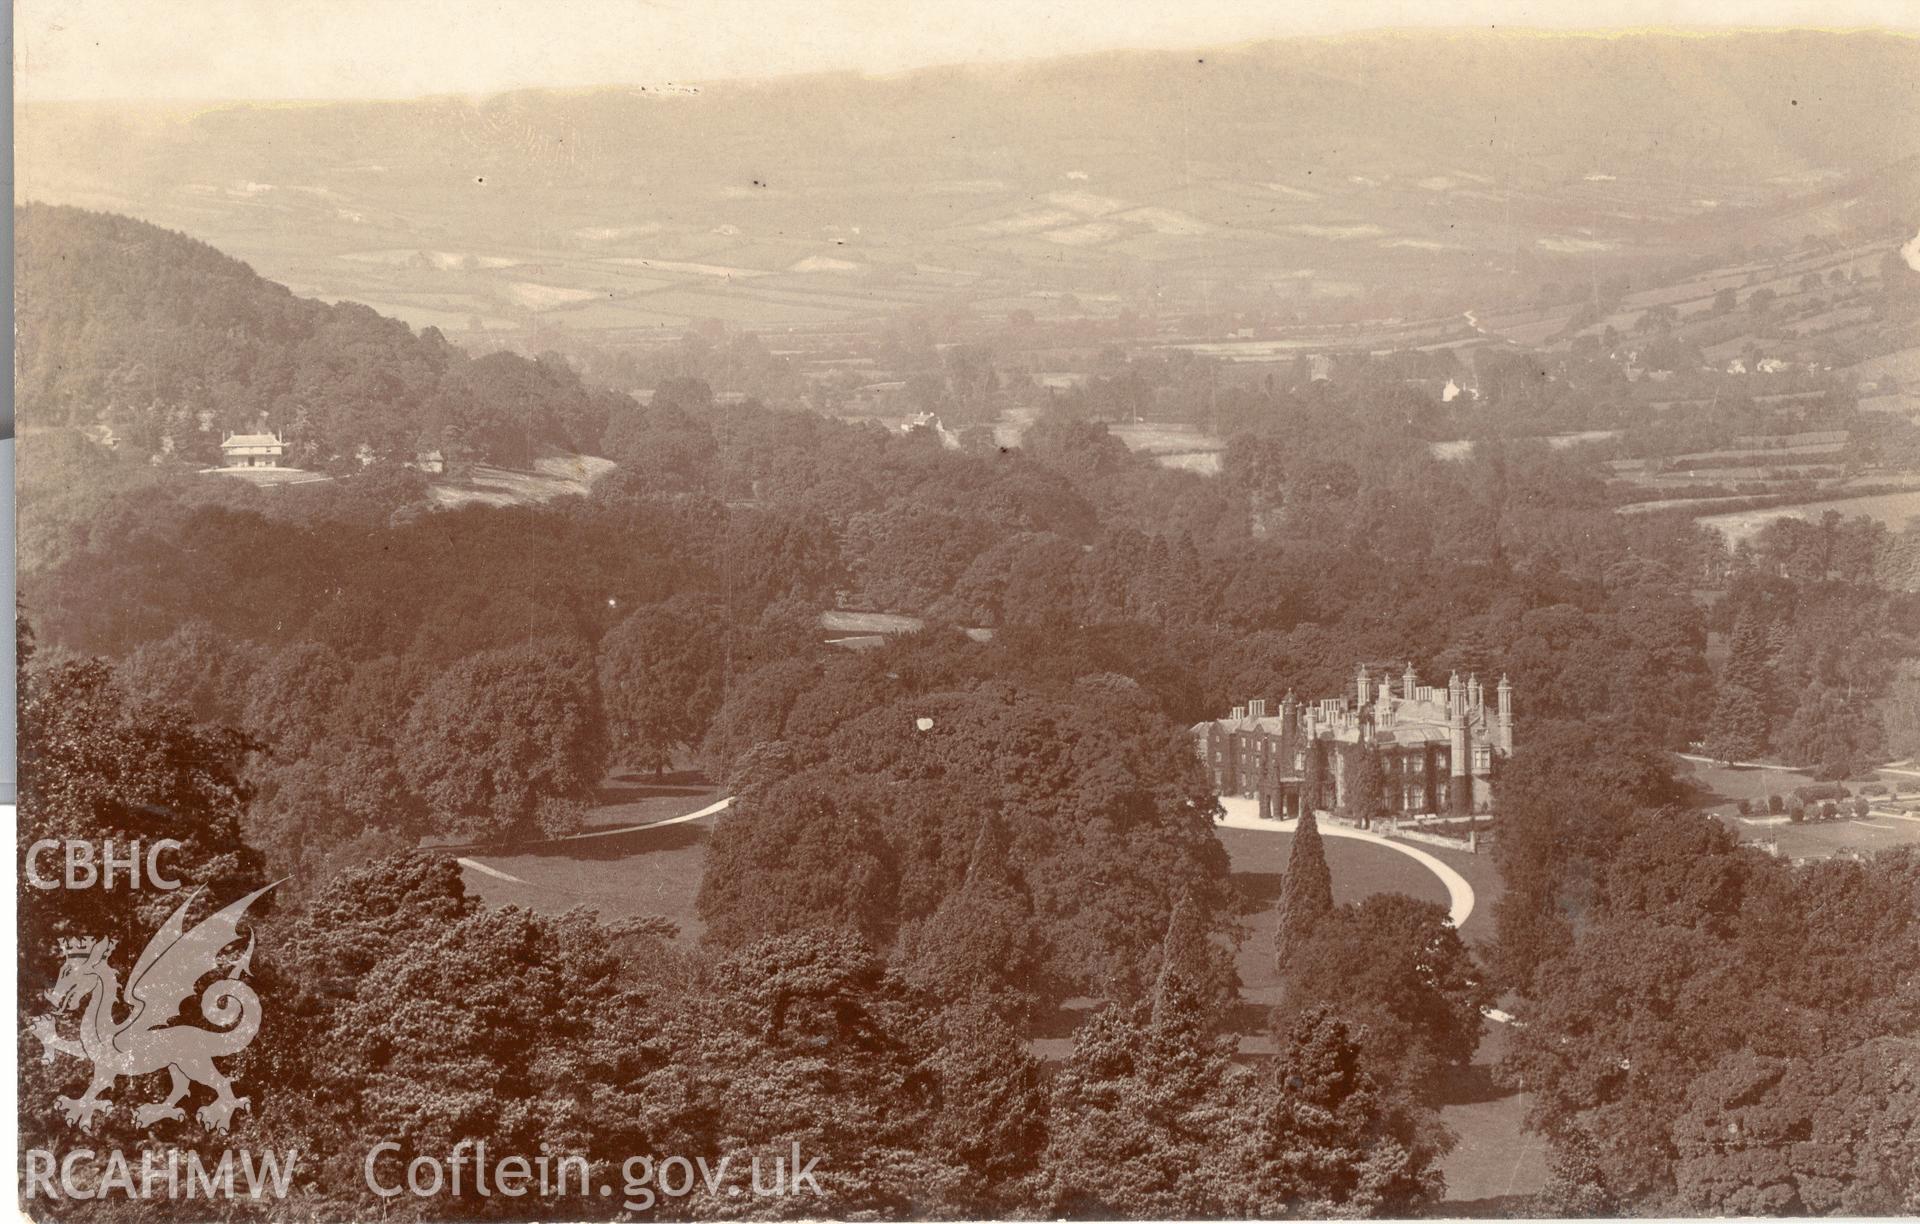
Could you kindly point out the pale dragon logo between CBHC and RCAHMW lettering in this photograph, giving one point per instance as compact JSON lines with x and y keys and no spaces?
{"x":145,"y":1043}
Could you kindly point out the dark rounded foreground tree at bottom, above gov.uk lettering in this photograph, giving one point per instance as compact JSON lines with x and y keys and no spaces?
{"x":807,"y":1039}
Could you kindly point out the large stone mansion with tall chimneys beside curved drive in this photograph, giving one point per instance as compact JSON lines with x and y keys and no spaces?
{"x":1437,"y":747}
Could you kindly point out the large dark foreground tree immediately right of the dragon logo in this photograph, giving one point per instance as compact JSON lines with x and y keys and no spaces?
{"x":485,"y":987}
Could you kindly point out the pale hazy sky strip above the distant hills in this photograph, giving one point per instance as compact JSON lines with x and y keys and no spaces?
{"x":400,"y":49}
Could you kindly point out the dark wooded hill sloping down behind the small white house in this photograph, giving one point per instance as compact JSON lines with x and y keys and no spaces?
{"x":162,"y":344}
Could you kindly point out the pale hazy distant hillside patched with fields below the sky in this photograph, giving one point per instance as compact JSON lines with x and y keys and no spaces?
{"x":1470,"y":166}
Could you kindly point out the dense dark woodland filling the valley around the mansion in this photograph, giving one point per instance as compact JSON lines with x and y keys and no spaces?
{"x":940,"y":841}
